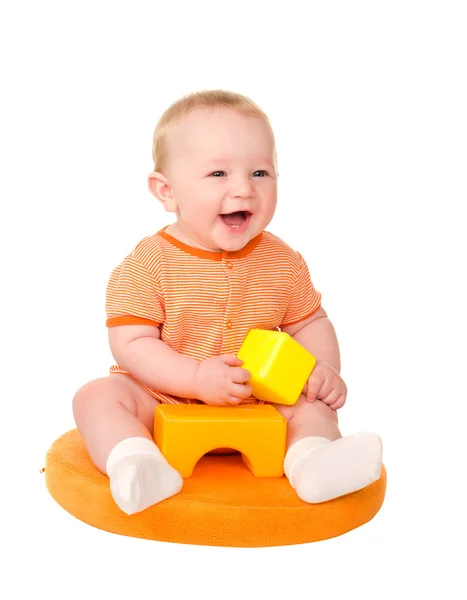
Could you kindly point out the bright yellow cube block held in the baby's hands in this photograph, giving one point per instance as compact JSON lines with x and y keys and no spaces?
{"x":278,"y":364}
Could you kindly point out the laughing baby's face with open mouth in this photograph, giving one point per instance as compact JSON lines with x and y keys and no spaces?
{"x":222,"y":177}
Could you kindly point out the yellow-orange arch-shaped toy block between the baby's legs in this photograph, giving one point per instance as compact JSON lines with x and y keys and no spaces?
{"x":185,"y":432}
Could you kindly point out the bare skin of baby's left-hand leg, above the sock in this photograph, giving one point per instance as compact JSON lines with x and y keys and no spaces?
{"x":109,"y":410}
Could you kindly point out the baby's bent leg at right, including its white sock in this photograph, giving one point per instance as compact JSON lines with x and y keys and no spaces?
{"x":321,"y":464}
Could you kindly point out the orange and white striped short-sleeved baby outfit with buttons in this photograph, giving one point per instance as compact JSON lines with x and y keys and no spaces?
{"x":206,"y":302}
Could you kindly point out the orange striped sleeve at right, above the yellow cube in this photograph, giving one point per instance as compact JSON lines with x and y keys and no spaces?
{"x":304,"y":299}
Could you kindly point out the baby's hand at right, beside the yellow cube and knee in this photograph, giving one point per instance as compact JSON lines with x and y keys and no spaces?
{"x":327,"y":385}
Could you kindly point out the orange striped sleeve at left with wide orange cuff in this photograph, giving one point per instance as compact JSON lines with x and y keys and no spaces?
{"x":133,"y":296}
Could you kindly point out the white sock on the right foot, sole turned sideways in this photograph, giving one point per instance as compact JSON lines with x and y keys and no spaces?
{"x":320,"y":470}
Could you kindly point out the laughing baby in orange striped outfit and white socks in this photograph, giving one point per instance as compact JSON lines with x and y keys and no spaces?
{"x":181,"y":303}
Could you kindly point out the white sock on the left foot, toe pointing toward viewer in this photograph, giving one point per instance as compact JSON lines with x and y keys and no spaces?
{"x":140,"y":476}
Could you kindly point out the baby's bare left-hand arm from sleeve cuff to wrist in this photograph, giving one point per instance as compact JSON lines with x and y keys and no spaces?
{"x":139,"y":350}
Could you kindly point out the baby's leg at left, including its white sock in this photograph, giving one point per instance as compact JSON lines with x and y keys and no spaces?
{"x":115,"y":416}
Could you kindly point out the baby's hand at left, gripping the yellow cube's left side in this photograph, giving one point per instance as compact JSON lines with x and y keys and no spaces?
{"x":220,"y":381}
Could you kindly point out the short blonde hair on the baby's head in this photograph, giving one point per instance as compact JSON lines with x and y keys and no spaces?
{"x":181,"y":108}
